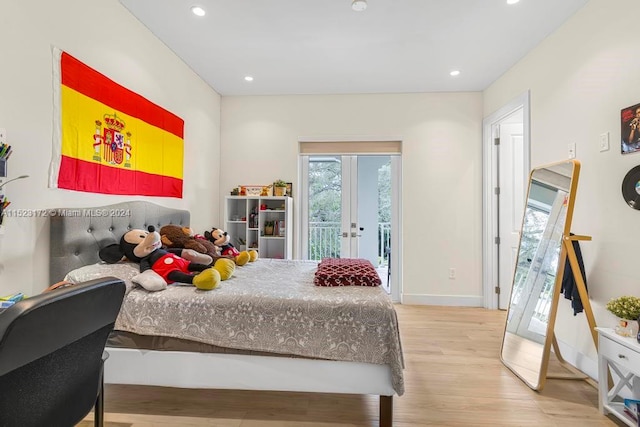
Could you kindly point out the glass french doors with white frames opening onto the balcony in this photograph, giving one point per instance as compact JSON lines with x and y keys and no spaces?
{"x":349,"y":208}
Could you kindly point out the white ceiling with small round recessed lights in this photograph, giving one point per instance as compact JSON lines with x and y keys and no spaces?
{"x":324,"y":47}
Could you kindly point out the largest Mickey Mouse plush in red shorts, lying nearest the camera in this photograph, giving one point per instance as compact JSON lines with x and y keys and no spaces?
{"x":144,"y":247}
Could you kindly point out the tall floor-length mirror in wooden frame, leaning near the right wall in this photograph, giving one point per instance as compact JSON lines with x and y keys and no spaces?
{"x":535,"y":289}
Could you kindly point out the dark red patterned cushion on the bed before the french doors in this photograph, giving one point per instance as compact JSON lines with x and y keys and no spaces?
{"x":346,"y":272}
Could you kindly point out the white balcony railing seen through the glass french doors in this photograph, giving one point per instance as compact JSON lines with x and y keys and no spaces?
{"x":325,"y":241}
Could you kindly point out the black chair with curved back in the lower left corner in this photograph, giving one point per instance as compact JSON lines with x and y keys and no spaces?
{"x":51,"y":354}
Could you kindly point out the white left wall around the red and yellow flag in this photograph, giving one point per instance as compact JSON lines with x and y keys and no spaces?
{"x":106,"y":37}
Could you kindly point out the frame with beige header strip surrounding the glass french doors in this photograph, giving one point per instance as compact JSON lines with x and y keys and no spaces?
{"x":302,"y":209}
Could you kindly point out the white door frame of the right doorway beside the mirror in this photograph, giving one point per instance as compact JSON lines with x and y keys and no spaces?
{"x":489,"y":178}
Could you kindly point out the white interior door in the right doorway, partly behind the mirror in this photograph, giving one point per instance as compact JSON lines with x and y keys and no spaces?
{"x":511,"y":200}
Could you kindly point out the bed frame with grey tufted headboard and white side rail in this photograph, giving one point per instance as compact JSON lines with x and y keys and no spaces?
{"x":75,"y":241}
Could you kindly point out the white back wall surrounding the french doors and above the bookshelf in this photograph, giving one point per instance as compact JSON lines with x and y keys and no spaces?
{"x":441,"y":164}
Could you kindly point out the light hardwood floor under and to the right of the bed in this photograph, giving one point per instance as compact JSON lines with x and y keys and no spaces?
{"x":453,"y":377}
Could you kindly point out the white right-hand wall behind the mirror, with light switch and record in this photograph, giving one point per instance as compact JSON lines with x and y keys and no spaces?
{"x":580,"y":78}
